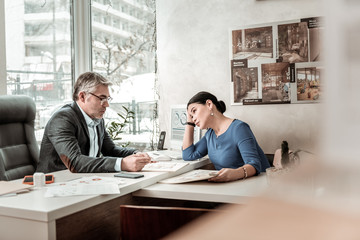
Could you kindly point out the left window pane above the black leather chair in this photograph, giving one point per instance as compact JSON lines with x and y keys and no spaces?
{"x":38,"y":59}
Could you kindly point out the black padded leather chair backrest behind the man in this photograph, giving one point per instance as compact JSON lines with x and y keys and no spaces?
{"x":19,"y":151}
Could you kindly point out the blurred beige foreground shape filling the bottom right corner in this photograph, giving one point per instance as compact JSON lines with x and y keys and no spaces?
{"x":309,"y":203}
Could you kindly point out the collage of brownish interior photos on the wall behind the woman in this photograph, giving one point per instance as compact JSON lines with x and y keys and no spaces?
{"x":277,"y":63}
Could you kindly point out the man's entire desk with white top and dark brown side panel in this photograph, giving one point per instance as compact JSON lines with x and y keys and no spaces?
{"x":32,"y":216}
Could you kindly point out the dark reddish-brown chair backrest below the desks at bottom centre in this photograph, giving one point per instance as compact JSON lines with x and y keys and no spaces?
{"x":147,"y":222}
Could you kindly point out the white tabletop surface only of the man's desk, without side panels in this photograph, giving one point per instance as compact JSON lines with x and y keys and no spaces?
{"x":33,"y":205}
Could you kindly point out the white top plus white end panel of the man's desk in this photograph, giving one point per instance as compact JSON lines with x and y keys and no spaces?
{"x":36,"y":215}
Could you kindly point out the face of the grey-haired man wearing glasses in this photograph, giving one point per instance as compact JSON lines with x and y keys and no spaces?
{"x":91,"y":103}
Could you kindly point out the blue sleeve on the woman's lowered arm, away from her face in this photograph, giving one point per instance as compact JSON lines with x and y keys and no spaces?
{"x":248,"y":147}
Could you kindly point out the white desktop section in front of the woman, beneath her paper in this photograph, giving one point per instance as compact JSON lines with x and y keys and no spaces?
{"x":232,"y":192}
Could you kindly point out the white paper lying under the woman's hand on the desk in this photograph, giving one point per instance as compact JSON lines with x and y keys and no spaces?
{"x":194,"y":175}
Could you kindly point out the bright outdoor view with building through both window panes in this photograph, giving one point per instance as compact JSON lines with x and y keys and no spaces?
{"x":39,"y":58}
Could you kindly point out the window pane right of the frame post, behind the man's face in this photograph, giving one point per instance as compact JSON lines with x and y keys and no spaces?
{"x":127,"y":58}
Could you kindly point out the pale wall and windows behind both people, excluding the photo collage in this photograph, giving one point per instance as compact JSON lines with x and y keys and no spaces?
{"x":163,"y":52}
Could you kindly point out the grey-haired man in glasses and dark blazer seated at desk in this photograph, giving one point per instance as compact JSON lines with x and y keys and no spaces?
{"x":75,"y":137}
